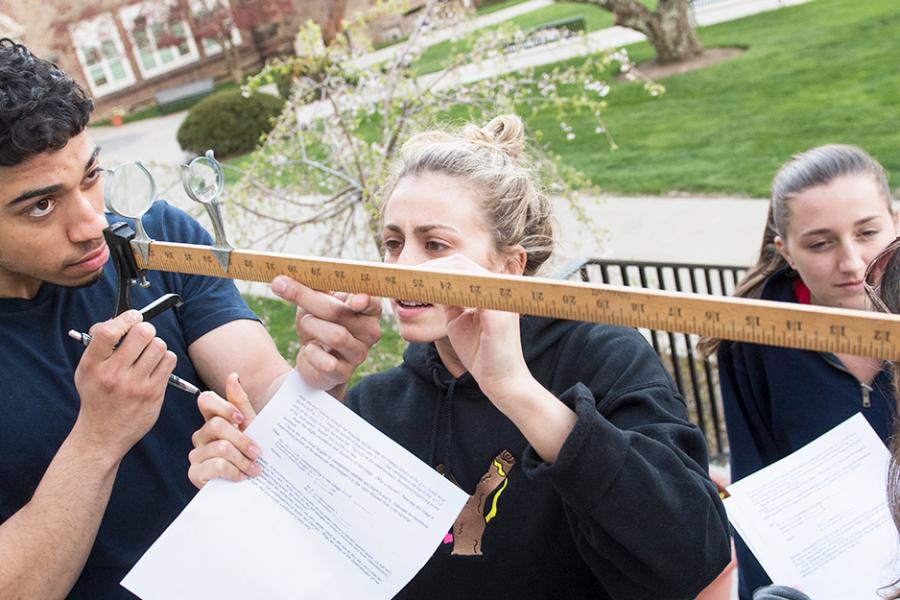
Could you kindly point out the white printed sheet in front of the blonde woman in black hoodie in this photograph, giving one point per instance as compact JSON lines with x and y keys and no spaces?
{"x":339,"y":511}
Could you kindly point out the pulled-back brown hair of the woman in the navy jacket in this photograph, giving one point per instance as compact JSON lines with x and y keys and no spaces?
{"x":816,"y":167}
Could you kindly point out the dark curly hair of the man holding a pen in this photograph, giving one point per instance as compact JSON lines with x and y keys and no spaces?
{"x":41,"y":108}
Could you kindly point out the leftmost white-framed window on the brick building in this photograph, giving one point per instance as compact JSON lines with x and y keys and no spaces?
{"x":102,"y":55}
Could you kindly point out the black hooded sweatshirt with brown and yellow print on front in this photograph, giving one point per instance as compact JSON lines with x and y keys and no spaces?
{"x":627,"y":510}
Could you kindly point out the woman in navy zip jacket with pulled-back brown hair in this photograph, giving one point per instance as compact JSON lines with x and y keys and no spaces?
{"x":830,"y":215}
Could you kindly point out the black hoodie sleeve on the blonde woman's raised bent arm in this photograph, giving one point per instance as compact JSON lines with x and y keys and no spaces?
{"x":633,"y":474}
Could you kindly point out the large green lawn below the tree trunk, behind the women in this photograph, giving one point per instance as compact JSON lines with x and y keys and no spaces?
{"x":813,"y":74}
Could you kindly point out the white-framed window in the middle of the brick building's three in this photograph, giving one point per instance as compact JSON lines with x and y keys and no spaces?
{"x":161,"y":39}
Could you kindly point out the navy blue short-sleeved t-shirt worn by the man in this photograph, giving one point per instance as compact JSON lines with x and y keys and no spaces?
{"x":39,"y":402}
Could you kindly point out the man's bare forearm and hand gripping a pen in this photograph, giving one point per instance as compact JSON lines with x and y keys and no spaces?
{"x":44,"y":545}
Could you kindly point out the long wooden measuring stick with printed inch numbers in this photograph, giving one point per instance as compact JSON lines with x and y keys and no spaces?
{"x":759,"y":321}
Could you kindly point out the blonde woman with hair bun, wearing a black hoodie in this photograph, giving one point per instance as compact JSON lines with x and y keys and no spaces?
{"x":587,"y":479}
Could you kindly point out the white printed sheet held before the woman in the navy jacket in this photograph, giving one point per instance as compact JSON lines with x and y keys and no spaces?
{"x":818,"y":519}
